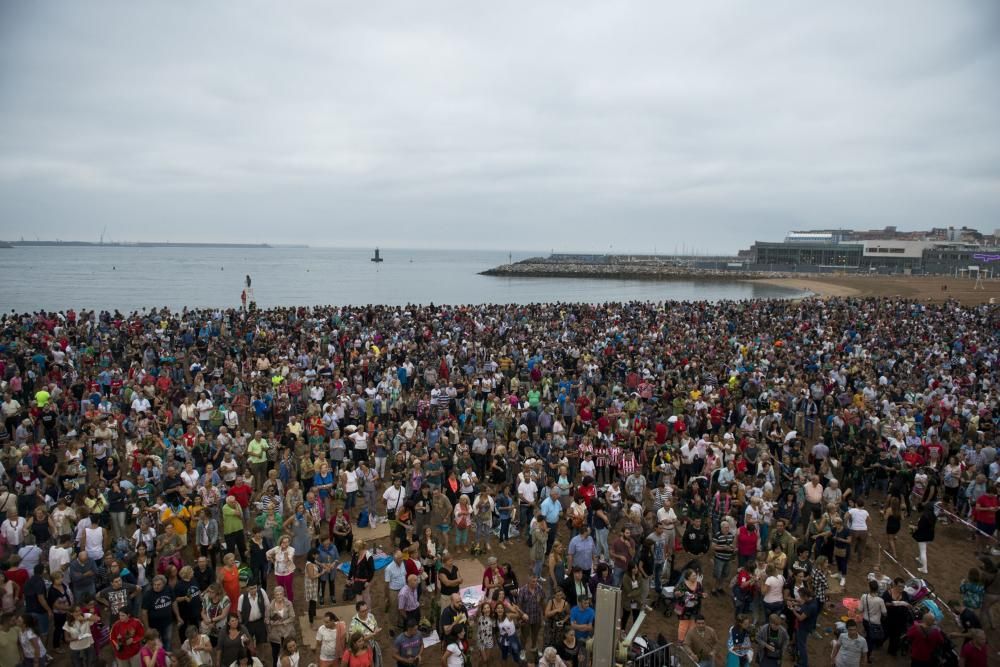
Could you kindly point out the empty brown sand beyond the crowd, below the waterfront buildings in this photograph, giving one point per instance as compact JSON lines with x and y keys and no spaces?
{"x":924,"y":288}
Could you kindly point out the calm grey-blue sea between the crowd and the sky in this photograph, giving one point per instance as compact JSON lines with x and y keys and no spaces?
{"x":131,"y":278}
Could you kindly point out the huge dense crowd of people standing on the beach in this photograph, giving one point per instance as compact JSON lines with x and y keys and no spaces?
{"x":178,"y":487}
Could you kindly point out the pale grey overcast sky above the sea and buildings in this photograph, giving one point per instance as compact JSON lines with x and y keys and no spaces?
{"x":534,"y":125}
